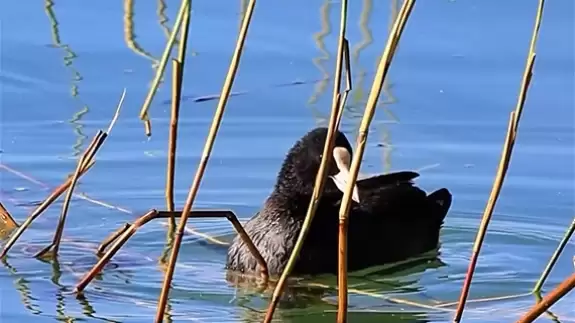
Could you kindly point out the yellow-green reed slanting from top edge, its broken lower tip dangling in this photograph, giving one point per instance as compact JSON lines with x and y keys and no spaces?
{"x":163,"y":61}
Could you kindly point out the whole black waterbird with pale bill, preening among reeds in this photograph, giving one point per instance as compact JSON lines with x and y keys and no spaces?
{"x":390,"y":218}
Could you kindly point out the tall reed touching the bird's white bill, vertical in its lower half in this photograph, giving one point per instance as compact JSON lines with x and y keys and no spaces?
{"x":377,"y":86}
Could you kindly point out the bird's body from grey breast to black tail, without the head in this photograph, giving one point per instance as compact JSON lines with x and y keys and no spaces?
{"x":394,"y":221}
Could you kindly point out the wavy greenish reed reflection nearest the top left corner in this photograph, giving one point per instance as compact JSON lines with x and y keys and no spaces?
{"x":69,"y":57}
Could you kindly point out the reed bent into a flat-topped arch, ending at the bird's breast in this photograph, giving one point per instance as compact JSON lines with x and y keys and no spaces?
{"x":119,"y":238}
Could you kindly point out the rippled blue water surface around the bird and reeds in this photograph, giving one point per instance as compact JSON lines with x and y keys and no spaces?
{"x":445,"y":110}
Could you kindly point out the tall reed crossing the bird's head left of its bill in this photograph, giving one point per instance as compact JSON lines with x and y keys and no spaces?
{"x":338,"y":102}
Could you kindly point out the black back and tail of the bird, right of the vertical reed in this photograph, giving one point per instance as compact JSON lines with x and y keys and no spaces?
{"x":395,"y":221}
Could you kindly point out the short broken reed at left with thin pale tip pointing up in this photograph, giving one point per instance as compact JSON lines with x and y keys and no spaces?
{"x":87,"y":157}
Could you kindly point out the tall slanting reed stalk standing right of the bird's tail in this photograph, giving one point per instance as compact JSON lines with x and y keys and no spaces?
{"x":503,"y":163}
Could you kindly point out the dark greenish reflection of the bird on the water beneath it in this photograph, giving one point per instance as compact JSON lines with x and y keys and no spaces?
{"x":314,"y":299}
